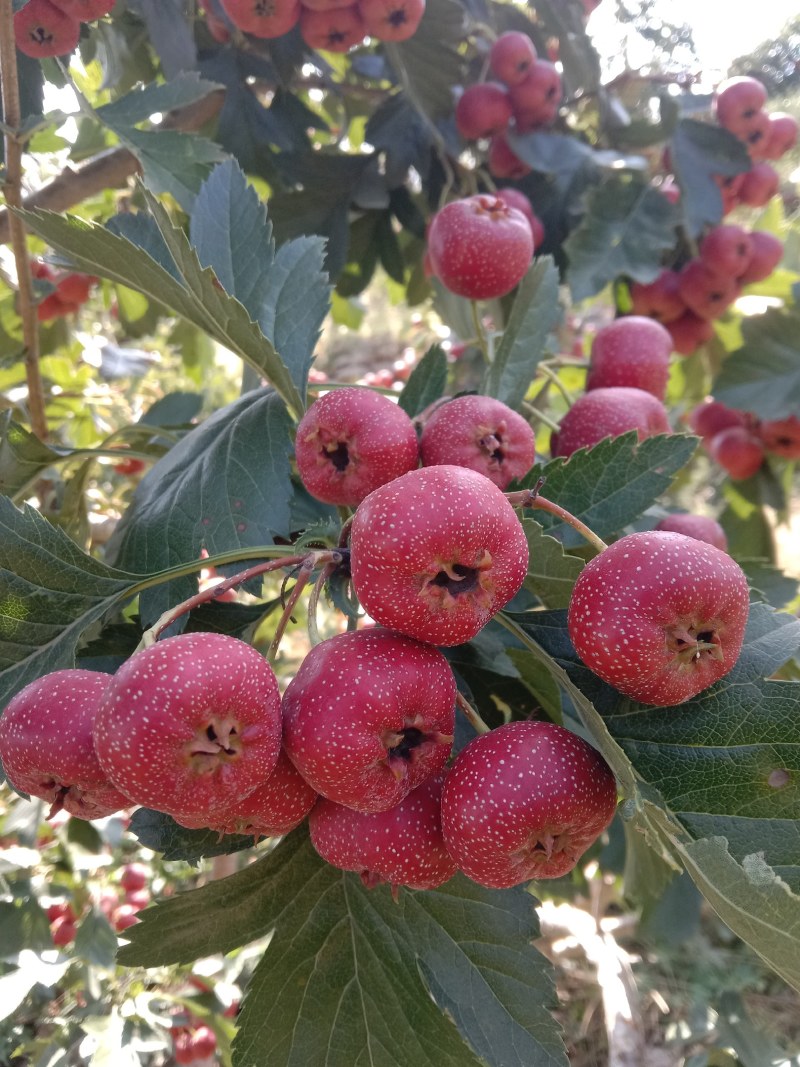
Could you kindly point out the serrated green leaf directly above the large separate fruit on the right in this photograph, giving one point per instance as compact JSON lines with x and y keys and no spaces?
{"x":612,"y":485}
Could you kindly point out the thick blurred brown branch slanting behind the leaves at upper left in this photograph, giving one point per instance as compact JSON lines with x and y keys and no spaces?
{"x":111,"y":169}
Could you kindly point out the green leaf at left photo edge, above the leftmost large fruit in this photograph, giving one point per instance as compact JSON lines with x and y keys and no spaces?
{"x":51,"y":593}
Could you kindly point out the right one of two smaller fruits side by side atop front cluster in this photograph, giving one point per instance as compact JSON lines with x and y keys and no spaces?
{"x":481,"y":434}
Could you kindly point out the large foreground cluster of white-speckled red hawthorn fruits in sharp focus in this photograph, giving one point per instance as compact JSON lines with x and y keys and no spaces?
{"x":362,"y":741}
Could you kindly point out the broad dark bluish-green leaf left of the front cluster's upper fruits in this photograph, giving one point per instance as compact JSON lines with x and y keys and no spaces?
{"x":225,"y":486}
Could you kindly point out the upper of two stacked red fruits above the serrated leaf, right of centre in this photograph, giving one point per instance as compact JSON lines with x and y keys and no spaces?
{"x":633,"y":352}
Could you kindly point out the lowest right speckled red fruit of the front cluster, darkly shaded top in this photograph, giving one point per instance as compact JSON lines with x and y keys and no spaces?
{"x":524,"y":803}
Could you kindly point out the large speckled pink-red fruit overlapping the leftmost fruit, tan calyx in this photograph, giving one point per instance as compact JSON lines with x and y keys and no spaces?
{"x":191,"y":725}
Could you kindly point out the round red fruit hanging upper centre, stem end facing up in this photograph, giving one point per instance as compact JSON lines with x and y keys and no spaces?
{"x":481,"y":248}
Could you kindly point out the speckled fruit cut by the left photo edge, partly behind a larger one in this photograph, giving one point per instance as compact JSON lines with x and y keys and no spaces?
{"x":46,"y":744}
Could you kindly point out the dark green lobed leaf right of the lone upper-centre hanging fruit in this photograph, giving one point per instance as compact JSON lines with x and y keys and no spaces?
{"x":627,"y":230}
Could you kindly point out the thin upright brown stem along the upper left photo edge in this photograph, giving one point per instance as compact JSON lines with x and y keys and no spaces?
{"x":13,"y":195}
